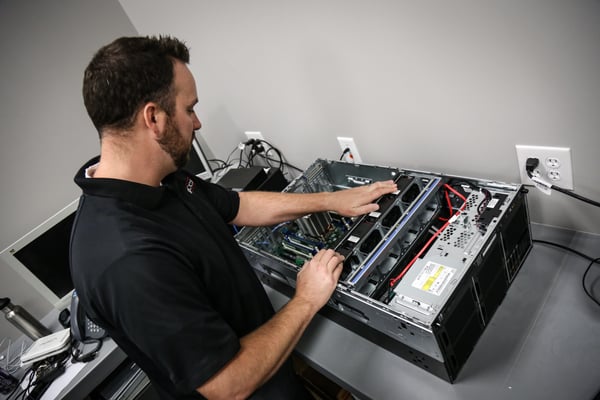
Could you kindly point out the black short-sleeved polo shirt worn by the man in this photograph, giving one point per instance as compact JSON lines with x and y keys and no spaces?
{"x":158,"y":268}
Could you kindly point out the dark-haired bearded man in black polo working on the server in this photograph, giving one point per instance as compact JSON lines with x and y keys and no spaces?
{"x":152,"y":258}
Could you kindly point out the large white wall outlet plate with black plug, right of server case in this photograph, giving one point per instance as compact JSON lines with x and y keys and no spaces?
{"x":555,"y":164}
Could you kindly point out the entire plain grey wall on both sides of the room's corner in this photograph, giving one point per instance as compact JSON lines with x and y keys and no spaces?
{"x":441,"y":86}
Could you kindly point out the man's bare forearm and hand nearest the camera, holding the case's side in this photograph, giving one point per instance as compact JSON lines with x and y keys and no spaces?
{"x":264,"y":350}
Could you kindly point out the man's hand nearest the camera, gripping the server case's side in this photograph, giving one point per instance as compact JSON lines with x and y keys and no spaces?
{"x":318,"y":278}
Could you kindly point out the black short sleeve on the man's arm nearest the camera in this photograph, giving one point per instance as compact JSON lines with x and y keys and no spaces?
{"x":160,"y":305}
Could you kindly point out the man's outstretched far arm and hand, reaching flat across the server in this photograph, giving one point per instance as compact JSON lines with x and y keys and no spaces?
{"x":269,"y":208}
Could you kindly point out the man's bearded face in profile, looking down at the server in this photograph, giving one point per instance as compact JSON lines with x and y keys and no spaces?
{"x":179,"y":131}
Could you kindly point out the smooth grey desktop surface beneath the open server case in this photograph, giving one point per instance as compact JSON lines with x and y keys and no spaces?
{"x":542,"y":343}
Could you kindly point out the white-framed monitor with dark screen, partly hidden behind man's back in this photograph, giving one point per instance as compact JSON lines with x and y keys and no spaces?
{"x":41,"y":257}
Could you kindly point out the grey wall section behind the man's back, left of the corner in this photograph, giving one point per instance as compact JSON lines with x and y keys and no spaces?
{"x":46,"y":134}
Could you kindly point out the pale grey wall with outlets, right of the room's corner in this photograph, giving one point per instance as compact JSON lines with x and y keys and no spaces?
{"x":434,"y":85}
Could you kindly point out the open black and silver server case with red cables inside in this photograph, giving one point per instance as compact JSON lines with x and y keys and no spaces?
{"x":423,"y":275}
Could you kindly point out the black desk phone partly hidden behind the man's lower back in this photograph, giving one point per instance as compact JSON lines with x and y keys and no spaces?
{"x":84,"y":331}
